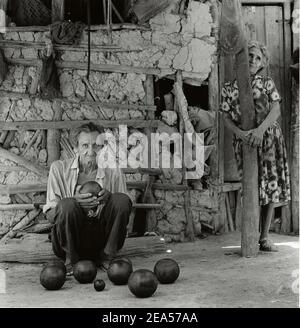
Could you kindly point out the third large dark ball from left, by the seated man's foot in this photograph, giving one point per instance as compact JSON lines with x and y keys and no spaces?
{"x":119,"y":271}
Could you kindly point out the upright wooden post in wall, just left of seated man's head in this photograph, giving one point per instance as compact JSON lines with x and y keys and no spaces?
{"x":53,"y":136}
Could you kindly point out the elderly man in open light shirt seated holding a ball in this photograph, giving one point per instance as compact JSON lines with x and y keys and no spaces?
{"x":75,"y":234}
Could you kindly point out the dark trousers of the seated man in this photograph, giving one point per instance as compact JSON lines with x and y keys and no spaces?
{"x":83,"y":238}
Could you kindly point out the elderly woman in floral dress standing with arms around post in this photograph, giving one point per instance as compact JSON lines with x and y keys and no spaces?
{"x":273,"y":171}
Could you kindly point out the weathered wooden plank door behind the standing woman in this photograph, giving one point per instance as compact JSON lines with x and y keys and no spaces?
{"x":269,"y":24}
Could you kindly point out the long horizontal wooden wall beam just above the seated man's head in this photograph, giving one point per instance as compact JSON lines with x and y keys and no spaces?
{"x":45,"y":125}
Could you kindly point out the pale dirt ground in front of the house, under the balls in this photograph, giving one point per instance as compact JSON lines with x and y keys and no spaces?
{"x":213,"y":274}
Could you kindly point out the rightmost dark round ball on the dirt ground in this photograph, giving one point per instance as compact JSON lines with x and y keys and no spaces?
{"x":166,"y":271}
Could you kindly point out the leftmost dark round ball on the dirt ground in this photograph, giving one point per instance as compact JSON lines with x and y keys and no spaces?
{"x":52,"y":277}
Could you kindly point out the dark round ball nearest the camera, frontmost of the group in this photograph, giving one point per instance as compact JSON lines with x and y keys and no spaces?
{"x":142,"y":283}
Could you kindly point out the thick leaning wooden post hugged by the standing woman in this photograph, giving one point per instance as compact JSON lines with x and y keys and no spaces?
{"x":234,"y":30}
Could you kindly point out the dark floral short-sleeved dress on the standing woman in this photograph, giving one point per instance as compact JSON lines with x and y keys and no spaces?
{"x":274,"y":181}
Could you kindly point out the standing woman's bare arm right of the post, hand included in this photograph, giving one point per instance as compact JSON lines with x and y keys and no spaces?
{"x":256,"y":135}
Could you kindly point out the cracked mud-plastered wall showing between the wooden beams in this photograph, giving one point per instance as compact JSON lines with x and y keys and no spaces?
{"x":173,"y":42}
